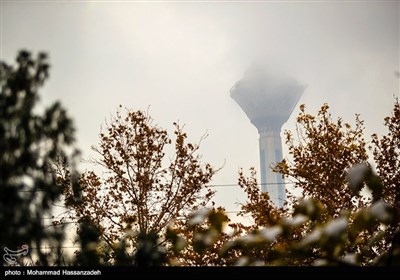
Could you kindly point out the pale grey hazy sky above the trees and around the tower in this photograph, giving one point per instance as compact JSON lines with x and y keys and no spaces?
{"x":181,"y":59}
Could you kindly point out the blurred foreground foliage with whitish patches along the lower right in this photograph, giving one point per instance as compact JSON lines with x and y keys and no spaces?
{"x":332,"y":242}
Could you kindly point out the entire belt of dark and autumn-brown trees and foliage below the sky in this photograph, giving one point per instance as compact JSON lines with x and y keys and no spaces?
{"x":146,"y":210}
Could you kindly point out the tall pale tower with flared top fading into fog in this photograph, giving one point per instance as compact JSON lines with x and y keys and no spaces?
{"x":268,"y":99}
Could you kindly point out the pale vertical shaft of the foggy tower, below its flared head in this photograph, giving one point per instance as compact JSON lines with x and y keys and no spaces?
{"x":270,"y":146}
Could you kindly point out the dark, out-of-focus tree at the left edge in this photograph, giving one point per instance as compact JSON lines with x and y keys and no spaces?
{"x":30,"y":142}
